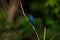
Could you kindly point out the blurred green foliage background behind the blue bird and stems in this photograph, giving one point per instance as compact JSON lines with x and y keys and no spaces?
{"x":45,"y":12}
